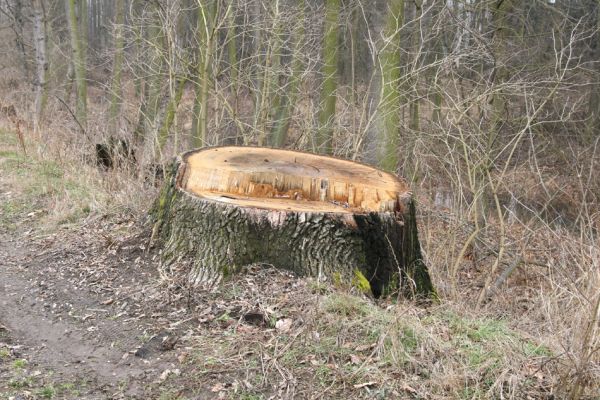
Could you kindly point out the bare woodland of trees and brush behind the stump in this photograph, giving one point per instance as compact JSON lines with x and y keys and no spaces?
{"x":489,"y":108}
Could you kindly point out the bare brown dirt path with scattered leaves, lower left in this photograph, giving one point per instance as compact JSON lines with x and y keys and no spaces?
{"x":75,"y":320}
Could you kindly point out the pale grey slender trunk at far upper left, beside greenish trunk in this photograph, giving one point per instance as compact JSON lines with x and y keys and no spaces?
{"x":40,"y":39}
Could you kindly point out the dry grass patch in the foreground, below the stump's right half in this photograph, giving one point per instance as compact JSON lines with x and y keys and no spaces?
{"x":348,"y":346}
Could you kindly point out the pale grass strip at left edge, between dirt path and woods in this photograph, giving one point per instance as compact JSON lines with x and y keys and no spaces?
{"x":56,"y":192}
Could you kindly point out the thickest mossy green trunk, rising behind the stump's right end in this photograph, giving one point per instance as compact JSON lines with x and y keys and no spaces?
{"x":389,"y":108}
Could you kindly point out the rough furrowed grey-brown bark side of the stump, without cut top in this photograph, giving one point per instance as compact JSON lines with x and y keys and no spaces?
{"x":216,"y":238}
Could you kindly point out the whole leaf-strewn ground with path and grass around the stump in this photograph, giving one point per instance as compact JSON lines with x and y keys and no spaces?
{"x":84,"y":314}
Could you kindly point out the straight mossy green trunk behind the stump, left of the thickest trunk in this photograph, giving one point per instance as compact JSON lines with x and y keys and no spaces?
{"x":324,"y":142}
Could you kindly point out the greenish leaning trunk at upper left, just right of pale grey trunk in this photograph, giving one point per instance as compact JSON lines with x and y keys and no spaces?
{"x":78,"y":43}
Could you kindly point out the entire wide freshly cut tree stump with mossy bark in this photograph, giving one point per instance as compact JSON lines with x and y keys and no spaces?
{"x":225,"y":207}
